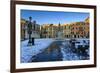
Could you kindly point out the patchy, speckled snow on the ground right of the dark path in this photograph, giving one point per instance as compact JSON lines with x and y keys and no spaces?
{"x":67,"y":50}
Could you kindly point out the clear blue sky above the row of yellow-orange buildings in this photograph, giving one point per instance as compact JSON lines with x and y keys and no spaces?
{"x":53,"y":17}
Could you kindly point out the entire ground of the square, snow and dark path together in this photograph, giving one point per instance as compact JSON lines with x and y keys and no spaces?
{"x":54,"y":50}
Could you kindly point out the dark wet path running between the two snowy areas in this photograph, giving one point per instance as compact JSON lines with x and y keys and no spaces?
{"x":52,"y":53}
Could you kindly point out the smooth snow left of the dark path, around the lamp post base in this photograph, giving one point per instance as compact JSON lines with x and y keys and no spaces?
{"x":28,"y":51}
